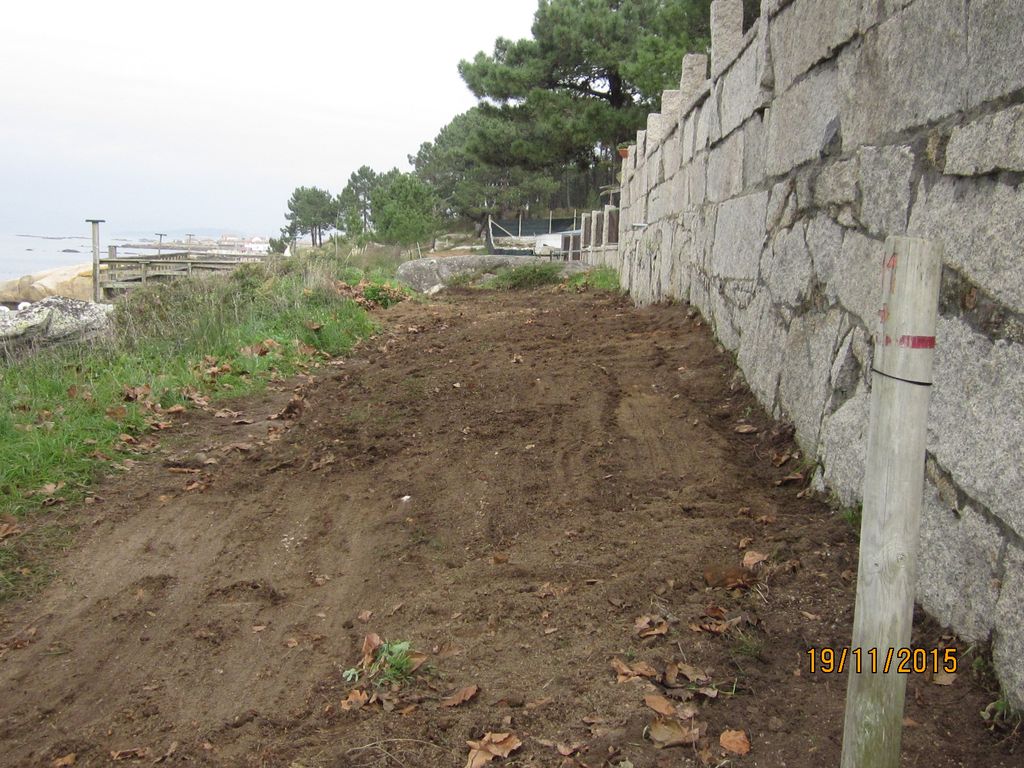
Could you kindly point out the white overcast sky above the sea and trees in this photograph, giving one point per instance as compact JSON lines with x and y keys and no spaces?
{"x":167,"y":116}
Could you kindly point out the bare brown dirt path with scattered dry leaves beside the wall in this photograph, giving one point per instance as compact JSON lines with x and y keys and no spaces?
{"x":508,"y":482}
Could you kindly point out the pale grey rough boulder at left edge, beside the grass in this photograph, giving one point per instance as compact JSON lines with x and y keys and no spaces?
{"x":53,"y":321}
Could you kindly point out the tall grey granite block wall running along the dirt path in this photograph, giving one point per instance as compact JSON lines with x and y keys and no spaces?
{"x":763,"y":196}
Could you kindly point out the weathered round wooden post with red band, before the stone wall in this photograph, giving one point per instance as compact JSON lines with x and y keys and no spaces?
{"x":902,"y":380}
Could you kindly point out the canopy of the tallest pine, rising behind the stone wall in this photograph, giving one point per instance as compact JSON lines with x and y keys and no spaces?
{"x":584,"y":82}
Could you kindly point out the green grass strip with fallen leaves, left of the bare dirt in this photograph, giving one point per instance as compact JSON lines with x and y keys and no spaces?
{"x":66,"y":412}
